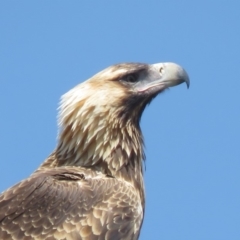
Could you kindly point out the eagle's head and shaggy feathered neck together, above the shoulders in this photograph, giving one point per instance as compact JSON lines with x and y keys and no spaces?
{"x":99,"y":118}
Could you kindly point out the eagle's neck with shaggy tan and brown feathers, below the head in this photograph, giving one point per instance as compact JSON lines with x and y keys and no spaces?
{"x":104,"y":143}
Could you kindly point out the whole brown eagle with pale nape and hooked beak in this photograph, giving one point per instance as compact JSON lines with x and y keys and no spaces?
{"x":91,"y":186}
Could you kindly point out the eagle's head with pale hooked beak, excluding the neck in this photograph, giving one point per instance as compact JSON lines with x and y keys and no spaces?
{"x":121,"y":91}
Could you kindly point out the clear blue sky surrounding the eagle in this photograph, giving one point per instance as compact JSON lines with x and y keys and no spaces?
{"x":192,"y":136}
